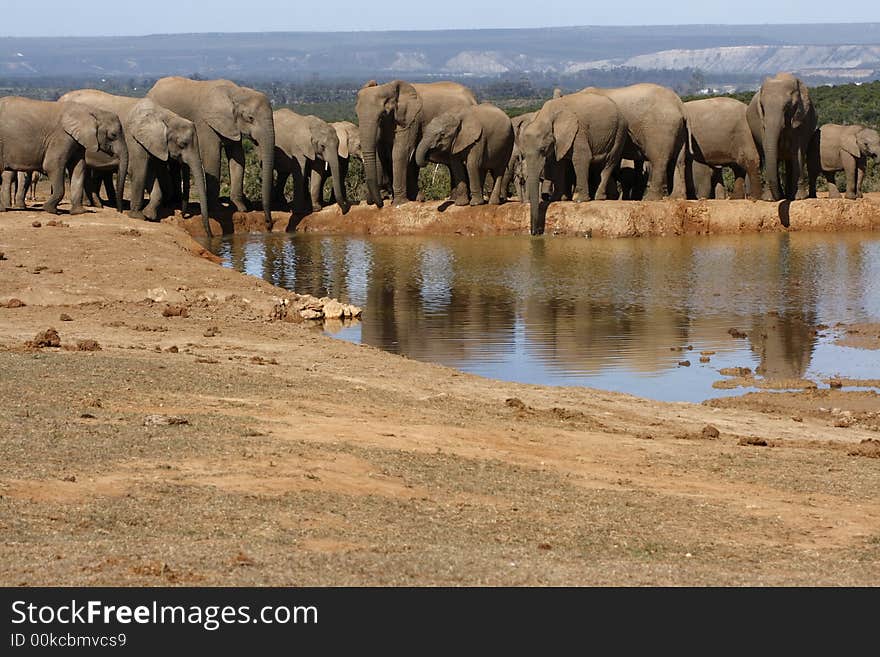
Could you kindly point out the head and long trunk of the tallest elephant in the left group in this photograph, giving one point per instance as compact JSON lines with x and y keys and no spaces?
{"x":233,"y":111}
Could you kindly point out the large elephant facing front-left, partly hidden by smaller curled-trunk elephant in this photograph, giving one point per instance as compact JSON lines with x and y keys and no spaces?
{"x":391,"y":118}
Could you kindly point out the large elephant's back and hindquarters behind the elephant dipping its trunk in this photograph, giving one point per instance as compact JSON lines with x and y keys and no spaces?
{"x":657,"y":134}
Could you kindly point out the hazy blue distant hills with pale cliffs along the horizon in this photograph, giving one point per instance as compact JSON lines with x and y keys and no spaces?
{"x":826,"y":53}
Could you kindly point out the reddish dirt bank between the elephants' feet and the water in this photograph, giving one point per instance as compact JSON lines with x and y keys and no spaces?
{"x":602,"y":219}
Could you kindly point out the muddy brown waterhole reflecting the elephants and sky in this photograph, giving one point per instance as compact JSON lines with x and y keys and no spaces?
{"x":611,"y":314}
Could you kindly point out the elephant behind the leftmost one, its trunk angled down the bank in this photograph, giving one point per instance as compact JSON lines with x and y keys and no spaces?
{"x":153,"y":135}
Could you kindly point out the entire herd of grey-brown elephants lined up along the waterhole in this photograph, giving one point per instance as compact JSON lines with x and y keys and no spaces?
{"x":634,"y":142}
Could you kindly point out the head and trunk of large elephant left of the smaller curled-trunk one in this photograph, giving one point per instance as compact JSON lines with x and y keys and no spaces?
{"x":397,"y":100}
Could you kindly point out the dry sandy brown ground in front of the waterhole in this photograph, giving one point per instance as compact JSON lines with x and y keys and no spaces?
{"x":305,"y":460}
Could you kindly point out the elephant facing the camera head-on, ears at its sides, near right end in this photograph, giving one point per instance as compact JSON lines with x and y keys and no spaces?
{"x":782,"y":119}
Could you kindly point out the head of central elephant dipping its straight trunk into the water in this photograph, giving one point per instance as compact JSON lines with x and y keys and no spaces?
{"x":548,"y":138}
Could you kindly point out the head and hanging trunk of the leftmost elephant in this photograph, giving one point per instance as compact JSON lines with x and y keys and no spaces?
{"x":99,"y":130}
